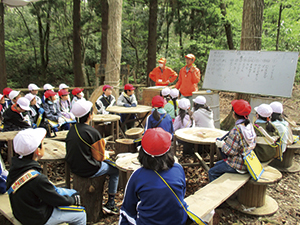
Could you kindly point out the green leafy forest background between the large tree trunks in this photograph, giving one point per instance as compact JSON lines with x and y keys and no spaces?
{"x":38,"y":37}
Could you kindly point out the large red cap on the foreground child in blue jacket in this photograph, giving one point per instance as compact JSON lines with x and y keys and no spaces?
{"x":156,"y":141}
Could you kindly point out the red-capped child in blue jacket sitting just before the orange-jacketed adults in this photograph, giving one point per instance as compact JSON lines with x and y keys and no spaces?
{"x":159,"y":117}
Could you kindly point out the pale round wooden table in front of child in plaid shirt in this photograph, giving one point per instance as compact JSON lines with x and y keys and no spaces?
{"x":200,"y":135}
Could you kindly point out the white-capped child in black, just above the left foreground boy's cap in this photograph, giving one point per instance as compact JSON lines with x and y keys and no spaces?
{"x":13,"y":118}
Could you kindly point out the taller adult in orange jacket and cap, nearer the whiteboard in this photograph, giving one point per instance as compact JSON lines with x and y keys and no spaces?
{"x":189,"y":77}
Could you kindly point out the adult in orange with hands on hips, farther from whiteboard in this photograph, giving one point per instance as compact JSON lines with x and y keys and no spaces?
{"x":162,"y":75}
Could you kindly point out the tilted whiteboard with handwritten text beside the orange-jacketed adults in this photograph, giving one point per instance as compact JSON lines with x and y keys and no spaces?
{"x":251,"y":72}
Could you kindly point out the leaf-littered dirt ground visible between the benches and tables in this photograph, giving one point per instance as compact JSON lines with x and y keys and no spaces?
{"x":286,"y":192}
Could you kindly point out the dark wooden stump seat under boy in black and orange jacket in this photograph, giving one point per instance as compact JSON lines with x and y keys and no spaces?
{"x":91,"y":193}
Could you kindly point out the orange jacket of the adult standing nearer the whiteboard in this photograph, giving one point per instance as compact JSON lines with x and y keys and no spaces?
{"x":188,"y":82}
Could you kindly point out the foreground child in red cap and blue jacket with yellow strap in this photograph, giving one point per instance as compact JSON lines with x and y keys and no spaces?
{"x":147,"y":199}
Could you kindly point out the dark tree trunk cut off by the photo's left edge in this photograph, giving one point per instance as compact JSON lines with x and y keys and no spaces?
{"x":3,"y":80}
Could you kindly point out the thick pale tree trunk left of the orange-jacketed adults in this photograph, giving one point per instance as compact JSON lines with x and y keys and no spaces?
{"x":114,"y":47}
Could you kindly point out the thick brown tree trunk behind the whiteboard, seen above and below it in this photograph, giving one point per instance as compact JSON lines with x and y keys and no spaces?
{"x":250,"y":40}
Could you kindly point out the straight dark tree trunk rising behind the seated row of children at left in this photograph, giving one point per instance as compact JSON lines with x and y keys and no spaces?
{"x":77,"y":68}
